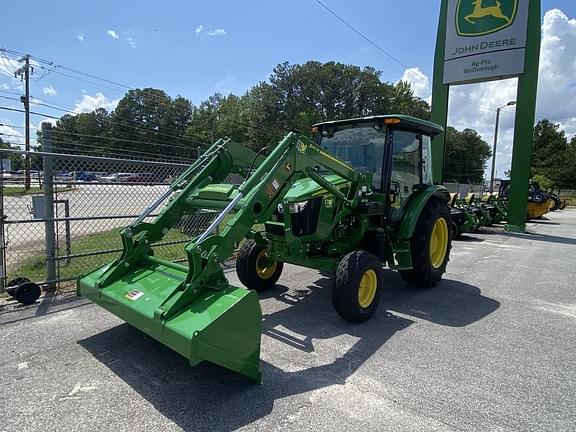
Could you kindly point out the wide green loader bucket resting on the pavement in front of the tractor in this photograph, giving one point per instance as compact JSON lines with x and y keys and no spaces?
{"x":222,"y":327}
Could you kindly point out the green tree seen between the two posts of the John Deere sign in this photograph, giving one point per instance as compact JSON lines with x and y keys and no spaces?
{"x":466,"y":156}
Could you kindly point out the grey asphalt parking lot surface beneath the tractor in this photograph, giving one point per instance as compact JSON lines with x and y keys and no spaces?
{"x":492,"y":348}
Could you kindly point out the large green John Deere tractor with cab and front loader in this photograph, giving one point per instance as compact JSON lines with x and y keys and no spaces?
{"x":357,"y":198}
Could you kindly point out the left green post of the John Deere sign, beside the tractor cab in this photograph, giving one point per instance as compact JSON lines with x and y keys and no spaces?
{"x":440,"y":94}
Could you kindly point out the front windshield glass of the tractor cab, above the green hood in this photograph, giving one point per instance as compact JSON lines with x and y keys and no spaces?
{"x":359,"y":145}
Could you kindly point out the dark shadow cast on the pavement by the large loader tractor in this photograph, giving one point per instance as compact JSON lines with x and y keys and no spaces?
{"x":209,"y":398}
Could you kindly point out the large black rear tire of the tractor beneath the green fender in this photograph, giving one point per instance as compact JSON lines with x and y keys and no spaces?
{"x":425,"y":272}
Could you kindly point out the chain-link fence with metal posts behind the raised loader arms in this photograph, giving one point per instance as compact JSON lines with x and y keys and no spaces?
{"x":92,"y":199}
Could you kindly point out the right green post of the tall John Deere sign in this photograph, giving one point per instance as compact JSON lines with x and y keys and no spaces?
{"x":524,"y":125}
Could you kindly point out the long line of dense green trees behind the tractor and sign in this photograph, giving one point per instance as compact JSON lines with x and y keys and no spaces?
{"x":148,"y":123}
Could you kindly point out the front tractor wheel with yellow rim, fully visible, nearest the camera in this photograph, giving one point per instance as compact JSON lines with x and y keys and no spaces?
{"x":352,"y":302}
